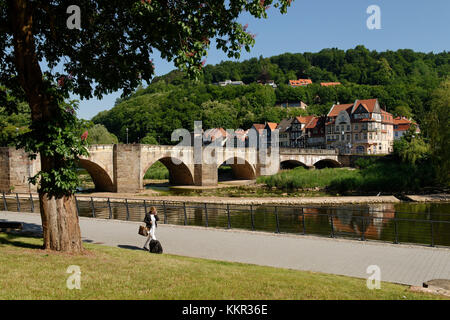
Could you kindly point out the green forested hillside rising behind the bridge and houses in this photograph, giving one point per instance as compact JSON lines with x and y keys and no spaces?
{"x":402,"y":81}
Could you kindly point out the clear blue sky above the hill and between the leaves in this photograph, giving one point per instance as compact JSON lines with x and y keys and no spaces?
{"x":310,"y":26}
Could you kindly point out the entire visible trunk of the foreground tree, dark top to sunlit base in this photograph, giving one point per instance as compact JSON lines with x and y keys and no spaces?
{"x":59,"y":215}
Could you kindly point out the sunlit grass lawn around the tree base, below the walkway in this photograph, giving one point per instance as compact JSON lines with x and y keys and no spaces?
{"x":27,"y":272}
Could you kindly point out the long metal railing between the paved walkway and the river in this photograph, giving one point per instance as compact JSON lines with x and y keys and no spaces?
{"x":357,"y":223}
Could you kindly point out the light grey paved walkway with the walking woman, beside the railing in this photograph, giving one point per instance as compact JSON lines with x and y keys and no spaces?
{"x":404,"y":264}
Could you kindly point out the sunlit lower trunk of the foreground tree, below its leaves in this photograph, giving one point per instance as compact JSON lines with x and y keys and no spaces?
{"x":60,"y":225}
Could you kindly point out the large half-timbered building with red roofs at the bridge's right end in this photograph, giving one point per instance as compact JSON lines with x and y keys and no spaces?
{"x":362,"y":128}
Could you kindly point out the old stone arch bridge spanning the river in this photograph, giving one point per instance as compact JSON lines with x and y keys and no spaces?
{"x":121,"y":167}
